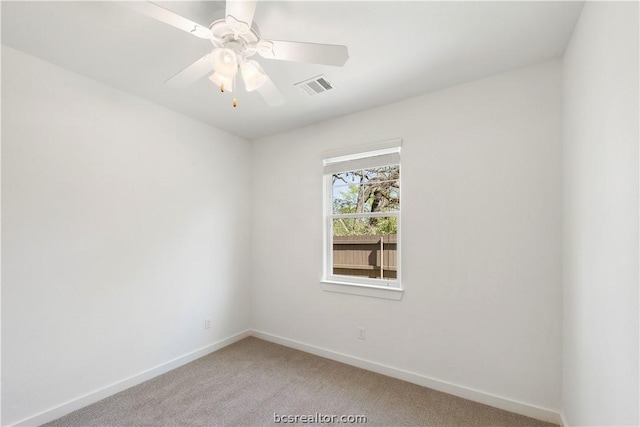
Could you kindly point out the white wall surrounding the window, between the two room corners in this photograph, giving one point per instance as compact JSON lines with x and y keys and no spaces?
{"x":481,"y":176}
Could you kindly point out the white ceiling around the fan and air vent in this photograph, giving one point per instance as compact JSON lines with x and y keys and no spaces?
{"x":397,"y":50}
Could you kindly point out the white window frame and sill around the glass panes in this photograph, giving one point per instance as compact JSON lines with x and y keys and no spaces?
{"x":380,"y":288}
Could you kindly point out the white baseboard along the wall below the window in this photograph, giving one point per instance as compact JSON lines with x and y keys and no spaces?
{"x":506,"y":404}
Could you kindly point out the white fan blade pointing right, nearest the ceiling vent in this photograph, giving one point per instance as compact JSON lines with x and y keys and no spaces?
{"x":328,"y":54}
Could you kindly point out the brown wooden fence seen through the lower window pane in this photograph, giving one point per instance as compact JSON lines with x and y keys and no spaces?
{"x":366,"y":256}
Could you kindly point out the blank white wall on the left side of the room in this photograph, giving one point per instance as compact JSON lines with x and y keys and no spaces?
{"x":124,"y":225}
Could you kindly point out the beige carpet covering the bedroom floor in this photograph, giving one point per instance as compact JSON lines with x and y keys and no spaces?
{"x":245,"y":383}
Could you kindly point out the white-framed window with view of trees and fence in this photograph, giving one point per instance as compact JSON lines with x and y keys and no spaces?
{"x":362,"y":218}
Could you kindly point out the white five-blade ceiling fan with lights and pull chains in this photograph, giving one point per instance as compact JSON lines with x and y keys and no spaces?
{"x":236,"y":38}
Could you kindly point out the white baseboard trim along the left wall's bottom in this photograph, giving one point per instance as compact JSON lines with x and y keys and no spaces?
{"x":94,"y":396}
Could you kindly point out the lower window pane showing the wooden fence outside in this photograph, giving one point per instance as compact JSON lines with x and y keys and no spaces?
{"x":365,"y":247}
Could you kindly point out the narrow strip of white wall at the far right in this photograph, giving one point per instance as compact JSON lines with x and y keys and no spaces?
{"x":600,"y":162}
